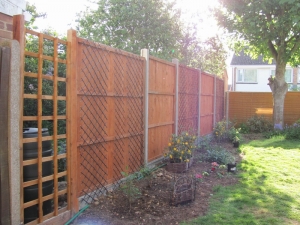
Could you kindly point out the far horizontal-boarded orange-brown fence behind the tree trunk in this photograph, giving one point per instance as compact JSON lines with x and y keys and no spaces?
{"x":243,"y":105}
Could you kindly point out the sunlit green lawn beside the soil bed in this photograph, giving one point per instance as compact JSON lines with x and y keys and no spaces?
{"x":268,"y":191}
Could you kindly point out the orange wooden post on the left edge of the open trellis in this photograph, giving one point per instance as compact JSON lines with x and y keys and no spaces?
{"x":19,"y":35}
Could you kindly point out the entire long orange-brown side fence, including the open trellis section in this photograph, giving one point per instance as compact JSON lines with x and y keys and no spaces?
{"x":108,"y":111}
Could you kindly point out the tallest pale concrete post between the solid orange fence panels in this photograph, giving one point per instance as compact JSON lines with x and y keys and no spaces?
{"x":145,"y":54}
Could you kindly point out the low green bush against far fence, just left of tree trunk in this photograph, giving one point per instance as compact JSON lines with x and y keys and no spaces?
{"x":259,"y":124}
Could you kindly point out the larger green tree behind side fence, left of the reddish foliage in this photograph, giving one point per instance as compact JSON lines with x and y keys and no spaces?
{"x":132,"y":25}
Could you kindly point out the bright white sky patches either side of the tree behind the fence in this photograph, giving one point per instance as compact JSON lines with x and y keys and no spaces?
{"x":61,"y":14}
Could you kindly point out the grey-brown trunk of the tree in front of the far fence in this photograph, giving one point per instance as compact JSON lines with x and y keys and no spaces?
{"x":279,"y":89}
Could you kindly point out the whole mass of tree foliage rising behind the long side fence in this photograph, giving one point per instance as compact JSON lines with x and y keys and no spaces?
{"x":153,"y":24}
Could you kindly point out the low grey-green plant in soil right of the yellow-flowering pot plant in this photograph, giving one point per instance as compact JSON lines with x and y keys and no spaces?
{"x":219,"y":155}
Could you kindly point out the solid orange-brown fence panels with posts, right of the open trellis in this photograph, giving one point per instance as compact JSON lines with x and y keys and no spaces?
{"x":126,"y":107}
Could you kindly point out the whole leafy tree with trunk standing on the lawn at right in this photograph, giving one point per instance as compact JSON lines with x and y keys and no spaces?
{"x":270,"y":28}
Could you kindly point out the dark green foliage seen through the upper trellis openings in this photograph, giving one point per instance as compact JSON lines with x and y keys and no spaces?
{"x":31,"y":84}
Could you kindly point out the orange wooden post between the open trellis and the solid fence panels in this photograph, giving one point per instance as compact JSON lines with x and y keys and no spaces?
{"x":72,"y":121}
